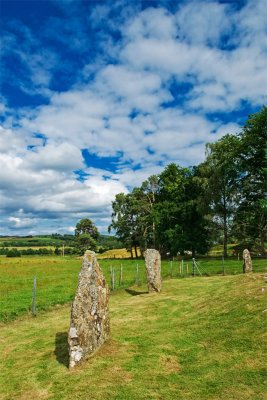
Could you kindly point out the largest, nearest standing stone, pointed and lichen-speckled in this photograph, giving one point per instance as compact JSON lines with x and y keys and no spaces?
{"x":89,"y":323}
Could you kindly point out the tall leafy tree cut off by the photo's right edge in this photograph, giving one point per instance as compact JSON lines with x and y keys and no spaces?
{"x":250,"y":223}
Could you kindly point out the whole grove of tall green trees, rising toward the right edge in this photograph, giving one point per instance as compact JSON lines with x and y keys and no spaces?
{"x":188,"y":209}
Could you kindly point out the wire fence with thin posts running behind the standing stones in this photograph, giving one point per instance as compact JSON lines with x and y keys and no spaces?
{"x":45,"y":288}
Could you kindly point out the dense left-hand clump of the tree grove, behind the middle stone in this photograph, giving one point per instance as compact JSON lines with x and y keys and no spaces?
{"x":162,"y":213}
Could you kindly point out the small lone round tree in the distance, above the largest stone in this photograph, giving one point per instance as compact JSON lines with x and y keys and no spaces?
{"x":86,"y":235}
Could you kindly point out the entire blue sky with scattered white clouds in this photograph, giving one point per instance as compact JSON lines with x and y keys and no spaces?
{"x":98,"y":95}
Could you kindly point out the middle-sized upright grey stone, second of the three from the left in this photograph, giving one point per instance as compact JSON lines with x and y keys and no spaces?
{"x":153,"y":270}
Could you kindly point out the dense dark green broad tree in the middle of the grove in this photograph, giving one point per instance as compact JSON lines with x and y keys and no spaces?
{"x":180,"y":224}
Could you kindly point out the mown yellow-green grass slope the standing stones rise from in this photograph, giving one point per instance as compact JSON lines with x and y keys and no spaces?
{"x":201,"y":338}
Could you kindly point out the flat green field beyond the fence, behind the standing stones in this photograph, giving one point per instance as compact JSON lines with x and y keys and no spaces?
{"x":57,"y":278}
